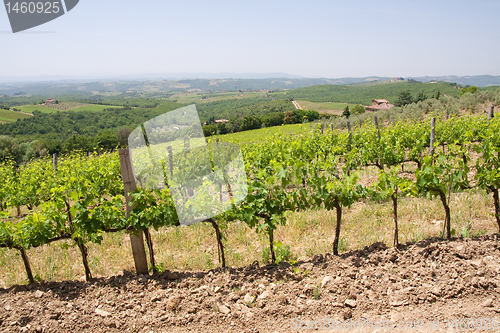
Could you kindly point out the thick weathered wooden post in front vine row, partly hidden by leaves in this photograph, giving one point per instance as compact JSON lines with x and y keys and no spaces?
{"x":137,"y":240}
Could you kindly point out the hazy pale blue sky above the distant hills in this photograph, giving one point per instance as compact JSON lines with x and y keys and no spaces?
{"x":307,"y":38}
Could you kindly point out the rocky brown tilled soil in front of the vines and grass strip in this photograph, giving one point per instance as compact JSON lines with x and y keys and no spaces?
{"x":415,"y":284}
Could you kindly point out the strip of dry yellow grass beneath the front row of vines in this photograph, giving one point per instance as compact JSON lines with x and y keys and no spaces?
{"x":307,"y":233}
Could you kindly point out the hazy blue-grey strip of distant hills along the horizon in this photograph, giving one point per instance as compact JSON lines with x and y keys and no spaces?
{"x":90,"y":91}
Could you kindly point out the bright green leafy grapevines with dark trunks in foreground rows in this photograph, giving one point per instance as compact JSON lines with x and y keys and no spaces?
{"x":82,"y":199}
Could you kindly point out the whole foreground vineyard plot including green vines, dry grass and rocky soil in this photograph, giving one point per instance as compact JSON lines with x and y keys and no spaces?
{"x":353,"y":189}
